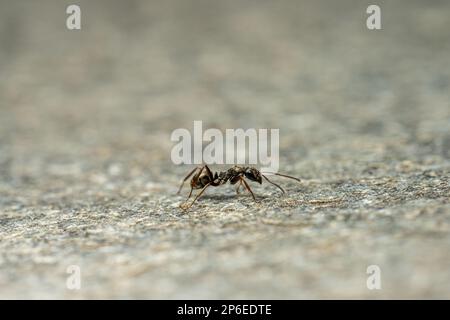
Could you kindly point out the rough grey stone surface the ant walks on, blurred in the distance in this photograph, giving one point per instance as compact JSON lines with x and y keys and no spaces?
{"x":85,"y":170}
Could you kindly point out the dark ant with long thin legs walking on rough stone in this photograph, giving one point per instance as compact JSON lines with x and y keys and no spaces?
{"x":204,"y":178}
